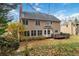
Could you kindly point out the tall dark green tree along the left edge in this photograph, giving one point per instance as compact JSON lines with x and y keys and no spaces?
{"x":4,"y":9}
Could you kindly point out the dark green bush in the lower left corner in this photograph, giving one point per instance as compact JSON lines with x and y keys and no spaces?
{"x":8,"y":46}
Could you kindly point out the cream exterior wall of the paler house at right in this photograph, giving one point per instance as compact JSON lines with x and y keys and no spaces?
{"x":68,"y":28}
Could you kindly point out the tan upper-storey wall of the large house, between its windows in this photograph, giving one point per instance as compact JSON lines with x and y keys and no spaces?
{"x":32,"y":25}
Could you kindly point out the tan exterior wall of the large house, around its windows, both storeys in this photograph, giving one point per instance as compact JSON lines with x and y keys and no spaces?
{"x":32,"y":26}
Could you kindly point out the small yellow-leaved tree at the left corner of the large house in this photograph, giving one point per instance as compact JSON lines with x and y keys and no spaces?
{"x":16,"y":28}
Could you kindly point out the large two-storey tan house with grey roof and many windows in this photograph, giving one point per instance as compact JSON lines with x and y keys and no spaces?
{"x":40,"y":24}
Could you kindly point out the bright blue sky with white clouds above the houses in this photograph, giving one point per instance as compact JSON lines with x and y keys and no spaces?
{"x":60,"y":10}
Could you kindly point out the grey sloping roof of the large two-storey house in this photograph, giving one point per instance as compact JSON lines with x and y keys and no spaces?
{"x":39,"y":16}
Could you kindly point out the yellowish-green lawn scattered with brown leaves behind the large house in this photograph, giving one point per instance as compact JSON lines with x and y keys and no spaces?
{"x":55,"y":47}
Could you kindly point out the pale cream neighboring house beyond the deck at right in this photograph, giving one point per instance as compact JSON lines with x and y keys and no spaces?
{"x":70,"y":27}
